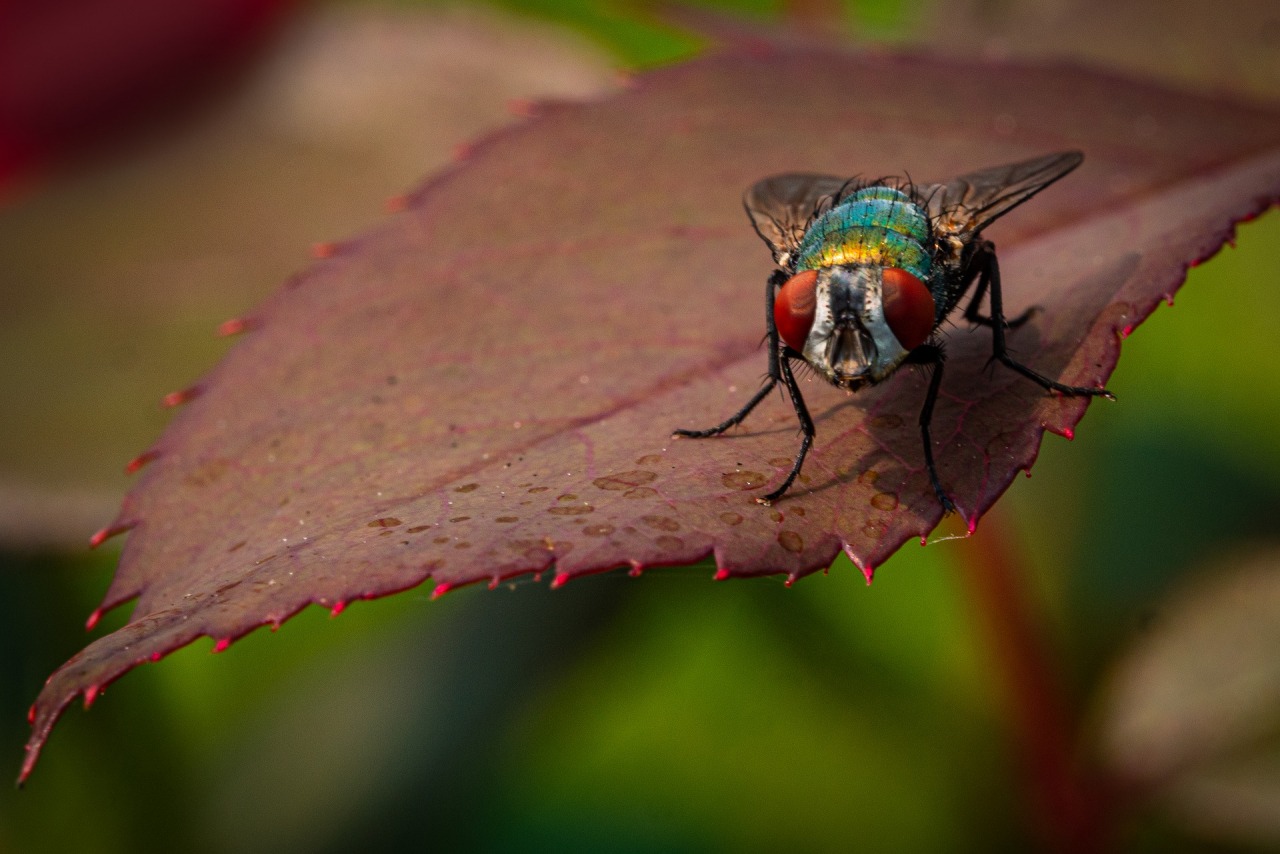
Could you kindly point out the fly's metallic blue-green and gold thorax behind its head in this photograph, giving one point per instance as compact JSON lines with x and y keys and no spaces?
{"x":876,"y":226}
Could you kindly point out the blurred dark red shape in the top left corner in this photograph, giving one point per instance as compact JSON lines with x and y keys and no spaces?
{"x":79,"y":75}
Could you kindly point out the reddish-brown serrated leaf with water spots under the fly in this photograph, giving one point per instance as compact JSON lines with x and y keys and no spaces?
{"x":487,"y":386}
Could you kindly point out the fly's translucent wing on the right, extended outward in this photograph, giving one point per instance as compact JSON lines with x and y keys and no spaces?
{"x":968,"y":204}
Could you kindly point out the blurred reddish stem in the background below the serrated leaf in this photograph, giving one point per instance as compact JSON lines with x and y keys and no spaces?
{"x":1071,"y":807}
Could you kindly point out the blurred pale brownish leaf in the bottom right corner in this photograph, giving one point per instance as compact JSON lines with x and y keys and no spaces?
{"x":1190,"y":718}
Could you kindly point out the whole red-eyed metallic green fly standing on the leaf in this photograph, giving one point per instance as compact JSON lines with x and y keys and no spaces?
{"x":868,"y":272}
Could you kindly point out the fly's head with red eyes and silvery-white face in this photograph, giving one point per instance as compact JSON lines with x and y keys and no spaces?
{"x":854,"y":325}
